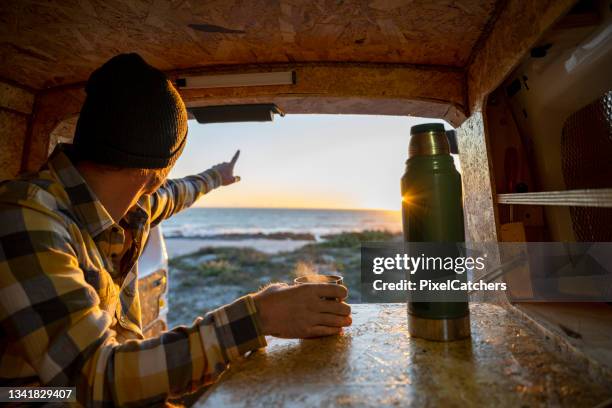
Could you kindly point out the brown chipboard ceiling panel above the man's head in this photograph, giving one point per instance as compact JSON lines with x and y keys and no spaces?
{"x":49,"y":43}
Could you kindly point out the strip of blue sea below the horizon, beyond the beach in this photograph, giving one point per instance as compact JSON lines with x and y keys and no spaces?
{"x":206,"y":223}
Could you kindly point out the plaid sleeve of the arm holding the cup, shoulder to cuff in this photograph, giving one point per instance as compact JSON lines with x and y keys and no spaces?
{"x":51,"y":318}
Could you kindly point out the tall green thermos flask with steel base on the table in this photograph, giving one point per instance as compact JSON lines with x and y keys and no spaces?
{"x":432,"y":212}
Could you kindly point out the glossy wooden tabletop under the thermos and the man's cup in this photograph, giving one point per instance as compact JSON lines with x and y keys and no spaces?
{"x":376,"y":363}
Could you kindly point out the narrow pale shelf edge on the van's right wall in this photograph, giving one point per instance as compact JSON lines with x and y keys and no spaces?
{"x":570,"y":198}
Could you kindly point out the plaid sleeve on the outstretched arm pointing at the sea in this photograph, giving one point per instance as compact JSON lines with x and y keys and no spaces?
{"x":177,"y":194}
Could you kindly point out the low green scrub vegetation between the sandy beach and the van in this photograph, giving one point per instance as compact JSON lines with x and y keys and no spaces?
{"x":213,"y":276}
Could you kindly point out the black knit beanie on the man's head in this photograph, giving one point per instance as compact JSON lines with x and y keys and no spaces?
{"x":132,"y":116}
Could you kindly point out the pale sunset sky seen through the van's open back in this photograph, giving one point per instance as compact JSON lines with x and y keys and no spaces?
{"x":305,"y":161}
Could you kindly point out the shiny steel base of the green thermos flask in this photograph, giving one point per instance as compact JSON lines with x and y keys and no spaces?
{"x":439,"y":329}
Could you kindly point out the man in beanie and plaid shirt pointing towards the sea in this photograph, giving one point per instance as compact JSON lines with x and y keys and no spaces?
{"x":70,"y":237}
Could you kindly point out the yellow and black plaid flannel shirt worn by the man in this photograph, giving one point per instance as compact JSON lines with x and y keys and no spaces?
{"x":69,"y":308}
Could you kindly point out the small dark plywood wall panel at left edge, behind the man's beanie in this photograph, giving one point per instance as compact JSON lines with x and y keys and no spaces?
{"x":15,"y":109}
